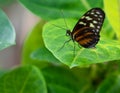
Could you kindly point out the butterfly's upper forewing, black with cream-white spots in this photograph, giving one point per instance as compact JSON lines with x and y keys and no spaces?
{"x":93,"y":18}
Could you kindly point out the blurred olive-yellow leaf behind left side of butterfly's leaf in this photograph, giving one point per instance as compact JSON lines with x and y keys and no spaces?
{"x":32,"y":42}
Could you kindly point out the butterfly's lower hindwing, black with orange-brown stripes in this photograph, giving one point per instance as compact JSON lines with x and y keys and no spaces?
{"x":86,"y":37}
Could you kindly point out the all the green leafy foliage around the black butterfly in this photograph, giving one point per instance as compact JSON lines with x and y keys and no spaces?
{"x":48,"y":68}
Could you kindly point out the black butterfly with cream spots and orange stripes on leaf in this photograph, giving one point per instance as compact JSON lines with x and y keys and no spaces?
{"x":87,"y":29}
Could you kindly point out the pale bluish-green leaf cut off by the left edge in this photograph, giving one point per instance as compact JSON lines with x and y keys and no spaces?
{"x":7,"y":33}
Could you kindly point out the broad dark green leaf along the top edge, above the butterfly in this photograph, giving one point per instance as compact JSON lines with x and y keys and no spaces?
{"x":50,"y":9}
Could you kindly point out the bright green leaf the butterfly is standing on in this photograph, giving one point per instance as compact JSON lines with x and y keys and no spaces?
{"x":54,"y":38}
